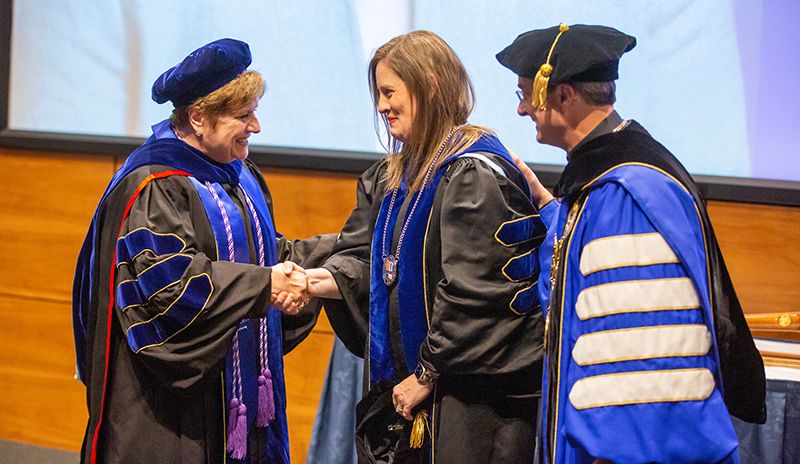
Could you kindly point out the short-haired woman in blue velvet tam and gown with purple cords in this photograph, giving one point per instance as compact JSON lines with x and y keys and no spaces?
{"x":177,"y":344}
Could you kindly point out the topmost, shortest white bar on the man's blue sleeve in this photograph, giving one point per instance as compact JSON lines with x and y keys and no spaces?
{"x":625,"y":250}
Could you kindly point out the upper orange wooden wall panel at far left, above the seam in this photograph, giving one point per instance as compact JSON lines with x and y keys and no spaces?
{"x":46,"y":203}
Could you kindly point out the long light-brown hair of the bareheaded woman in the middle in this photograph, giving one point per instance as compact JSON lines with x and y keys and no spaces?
{"x":442,"y":91}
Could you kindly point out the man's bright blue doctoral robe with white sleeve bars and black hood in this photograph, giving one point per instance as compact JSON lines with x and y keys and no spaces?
{"x":634,"y":372}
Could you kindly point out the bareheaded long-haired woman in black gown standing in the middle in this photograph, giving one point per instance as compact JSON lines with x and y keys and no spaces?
{"x":435,"y":273}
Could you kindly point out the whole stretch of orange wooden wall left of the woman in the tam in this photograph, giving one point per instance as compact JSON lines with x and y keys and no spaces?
{"x":46,"y":204}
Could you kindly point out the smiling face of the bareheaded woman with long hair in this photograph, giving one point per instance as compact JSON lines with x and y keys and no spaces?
{"x":395,"y":102}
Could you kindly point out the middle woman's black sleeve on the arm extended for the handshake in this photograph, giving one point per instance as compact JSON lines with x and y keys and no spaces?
{"x":349,"y":263}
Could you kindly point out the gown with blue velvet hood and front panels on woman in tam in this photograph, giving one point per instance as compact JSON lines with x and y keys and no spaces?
{"x":153,"y":361}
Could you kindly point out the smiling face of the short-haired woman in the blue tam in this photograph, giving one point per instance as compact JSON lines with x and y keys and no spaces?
{"x":228,"y":139}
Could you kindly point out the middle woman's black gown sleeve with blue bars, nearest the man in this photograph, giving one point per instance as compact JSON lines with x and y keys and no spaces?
{"x":473,"y":328}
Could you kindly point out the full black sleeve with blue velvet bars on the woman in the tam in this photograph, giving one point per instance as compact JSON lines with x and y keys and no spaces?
{"x":182,"y":351}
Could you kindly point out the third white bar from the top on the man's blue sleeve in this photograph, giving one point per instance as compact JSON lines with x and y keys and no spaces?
{"x":641,"y":343}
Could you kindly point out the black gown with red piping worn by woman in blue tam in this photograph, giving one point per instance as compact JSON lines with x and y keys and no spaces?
{"x":166,"y":402}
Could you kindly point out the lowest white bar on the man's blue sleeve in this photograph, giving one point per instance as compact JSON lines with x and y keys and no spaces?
{"x":642,"y":387}
